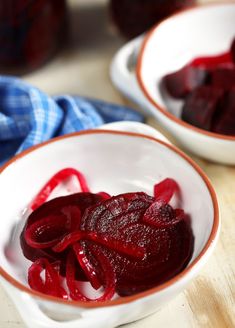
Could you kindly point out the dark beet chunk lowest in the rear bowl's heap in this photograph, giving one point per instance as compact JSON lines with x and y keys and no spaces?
{"x":200,"y":106}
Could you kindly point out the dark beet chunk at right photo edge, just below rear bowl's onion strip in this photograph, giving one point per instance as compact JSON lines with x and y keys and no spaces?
{"x":223,"y":77}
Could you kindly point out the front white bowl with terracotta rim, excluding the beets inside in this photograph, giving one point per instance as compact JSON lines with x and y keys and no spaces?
{"x":115,"y":162}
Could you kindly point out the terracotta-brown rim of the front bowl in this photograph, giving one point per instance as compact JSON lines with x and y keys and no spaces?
{"x":127,"y":299}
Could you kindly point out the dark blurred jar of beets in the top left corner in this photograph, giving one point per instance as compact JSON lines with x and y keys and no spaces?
{"x":30,"y":33}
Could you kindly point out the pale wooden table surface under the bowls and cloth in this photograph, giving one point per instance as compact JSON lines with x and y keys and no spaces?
{"x":83,"y":68}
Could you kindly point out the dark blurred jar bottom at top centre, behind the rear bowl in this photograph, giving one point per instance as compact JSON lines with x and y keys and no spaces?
{"x":133,"y":17}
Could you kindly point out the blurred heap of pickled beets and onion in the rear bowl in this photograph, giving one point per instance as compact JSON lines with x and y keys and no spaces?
{"x":205,"y":96}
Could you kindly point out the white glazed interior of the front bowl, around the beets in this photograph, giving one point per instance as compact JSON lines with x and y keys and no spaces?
{"x":112,"y":162}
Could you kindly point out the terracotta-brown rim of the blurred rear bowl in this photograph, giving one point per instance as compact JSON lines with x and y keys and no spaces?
{"x":163,"y":110}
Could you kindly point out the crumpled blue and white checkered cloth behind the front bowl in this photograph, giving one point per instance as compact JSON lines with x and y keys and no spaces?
{"x":28,"y":116}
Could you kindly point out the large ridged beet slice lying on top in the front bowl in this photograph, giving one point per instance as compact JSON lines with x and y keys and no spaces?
{"x":121,"y":218}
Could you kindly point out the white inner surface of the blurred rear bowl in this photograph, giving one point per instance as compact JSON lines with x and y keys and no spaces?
{"x":201,"y":31}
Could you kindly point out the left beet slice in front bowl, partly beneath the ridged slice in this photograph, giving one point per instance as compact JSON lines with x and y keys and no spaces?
{"x":62,"y":208}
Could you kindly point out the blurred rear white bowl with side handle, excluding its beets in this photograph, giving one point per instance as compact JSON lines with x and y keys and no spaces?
{"x":201,"y":30}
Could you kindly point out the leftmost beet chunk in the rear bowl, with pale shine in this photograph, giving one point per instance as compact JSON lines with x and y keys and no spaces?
{"x":179,"y":84}
